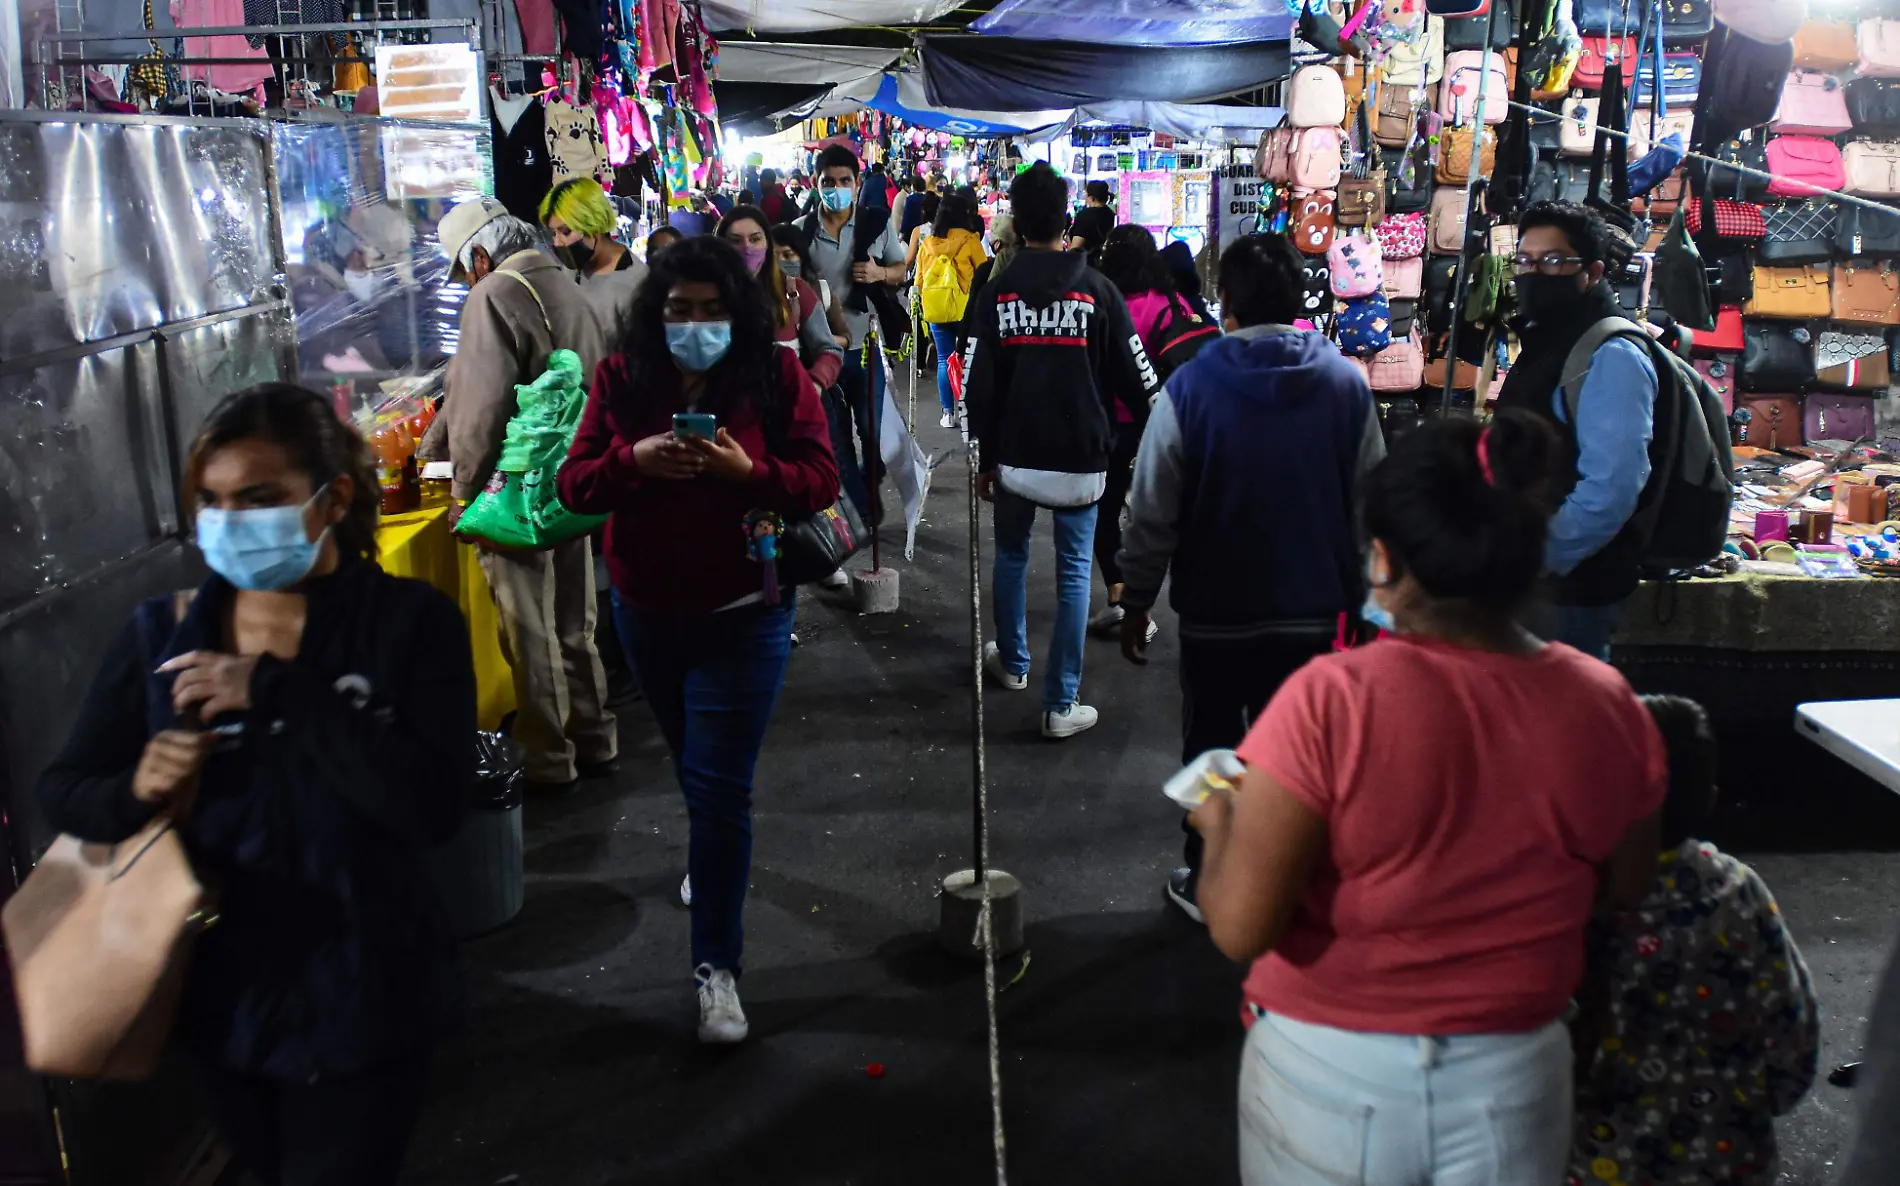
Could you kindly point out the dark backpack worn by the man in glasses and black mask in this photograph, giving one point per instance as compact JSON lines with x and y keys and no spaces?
{"x":1682,"y":516}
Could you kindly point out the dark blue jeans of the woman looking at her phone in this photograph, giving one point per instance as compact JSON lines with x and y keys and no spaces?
{"x":712,"y":681}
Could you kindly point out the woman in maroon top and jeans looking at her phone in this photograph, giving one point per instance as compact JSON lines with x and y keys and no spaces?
{"x":693,"y":605}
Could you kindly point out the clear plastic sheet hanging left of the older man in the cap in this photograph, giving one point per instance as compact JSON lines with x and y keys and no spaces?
{"x":370,"y":286}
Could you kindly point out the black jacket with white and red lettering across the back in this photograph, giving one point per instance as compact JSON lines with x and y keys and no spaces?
{"x":1050,"y":353}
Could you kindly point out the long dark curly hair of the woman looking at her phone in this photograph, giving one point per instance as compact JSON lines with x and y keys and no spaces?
{"x":748,"y":364}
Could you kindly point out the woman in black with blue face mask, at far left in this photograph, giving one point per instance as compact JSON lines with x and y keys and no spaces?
{"x":307,"y":723}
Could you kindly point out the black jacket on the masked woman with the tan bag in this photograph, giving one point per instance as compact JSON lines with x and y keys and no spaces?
{"x":332,"y":953}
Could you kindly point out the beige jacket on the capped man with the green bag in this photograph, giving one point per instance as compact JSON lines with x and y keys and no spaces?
{"x":504,"y":343}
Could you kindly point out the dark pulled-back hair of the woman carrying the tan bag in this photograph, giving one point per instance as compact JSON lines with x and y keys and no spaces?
{"x":318,"y":444}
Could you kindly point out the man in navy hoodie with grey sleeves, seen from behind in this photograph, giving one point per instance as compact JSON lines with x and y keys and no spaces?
{"x":1247,"y":488}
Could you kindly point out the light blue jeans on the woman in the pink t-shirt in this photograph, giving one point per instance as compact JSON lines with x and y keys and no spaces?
{"x":1323,"y":1107}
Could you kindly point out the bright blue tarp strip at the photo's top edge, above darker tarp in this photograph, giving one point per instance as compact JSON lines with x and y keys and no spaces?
{"x":1139,"y":22}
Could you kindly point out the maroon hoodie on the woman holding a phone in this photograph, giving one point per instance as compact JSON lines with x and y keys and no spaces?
{"x":679,"y":546}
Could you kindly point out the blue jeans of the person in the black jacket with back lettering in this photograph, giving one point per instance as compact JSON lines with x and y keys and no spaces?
{"x":1010,"y":590}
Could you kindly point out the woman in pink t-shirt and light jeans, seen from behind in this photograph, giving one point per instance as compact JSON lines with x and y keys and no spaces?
{"x":1420,"y":839}
